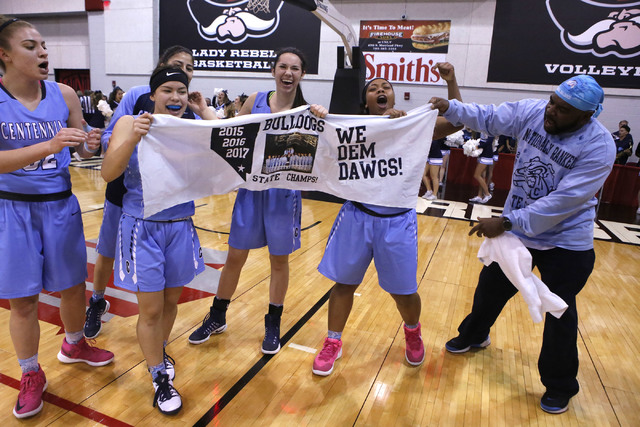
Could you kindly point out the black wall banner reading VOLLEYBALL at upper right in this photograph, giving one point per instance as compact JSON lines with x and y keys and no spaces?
{"x":545,"y":42}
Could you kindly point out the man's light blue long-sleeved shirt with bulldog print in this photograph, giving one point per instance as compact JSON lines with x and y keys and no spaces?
{"x":555,"y":177}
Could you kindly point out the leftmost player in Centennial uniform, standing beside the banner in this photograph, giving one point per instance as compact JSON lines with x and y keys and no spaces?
{"x":43,"y":243}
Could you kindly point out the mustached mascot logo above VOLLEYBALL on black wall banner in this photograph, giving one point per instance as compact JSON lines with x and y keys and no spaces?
{"x":599,"y":27}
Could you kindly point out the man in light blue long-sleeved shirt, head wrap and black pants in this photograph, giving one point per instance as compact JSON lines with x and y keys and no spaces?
{"x":564,"y":156}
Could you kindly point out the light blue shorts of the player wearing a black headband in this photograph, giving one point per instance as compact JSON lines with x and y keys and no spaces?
{"x":154,"y":255}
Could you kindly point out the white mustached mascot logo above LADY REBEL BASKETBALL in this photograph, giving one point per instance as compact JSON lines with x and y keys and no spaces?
{"x":235,"y":20}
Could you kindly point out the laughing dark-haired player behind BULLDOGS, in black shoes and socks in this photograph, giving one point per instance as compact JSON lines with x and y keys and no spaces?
{"x":260,"y":218}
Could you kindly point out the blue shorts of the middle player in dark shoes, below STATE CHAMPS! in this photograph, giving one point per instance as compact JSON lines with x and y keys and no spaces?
{"x":266,"y":218}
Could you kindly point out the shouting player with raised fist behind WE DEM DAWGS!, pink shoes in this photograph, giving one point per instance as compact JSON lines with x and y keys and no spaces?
{"x":389,"y":236}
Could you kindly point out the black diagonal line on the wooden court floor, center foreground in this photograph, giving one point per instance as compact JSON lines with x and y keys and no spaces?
{"x":257,"y":367}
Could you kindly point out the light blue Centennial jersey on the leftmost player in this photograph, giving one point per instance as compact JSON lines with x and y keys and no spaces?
{"x":20,"y":128}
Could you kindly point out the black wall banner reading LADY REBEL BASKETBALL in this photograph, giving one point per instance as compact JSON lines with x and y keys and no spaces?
{"x":239,"y":35}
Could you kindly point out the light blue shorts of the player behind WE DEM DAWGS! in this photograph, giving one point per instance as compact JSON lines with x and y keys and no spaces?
{"x":357,"y":237}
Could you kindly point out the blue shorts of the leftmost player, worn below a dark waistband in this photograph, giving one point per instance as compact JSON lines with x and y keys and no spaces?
{"x":42,"y":247}
